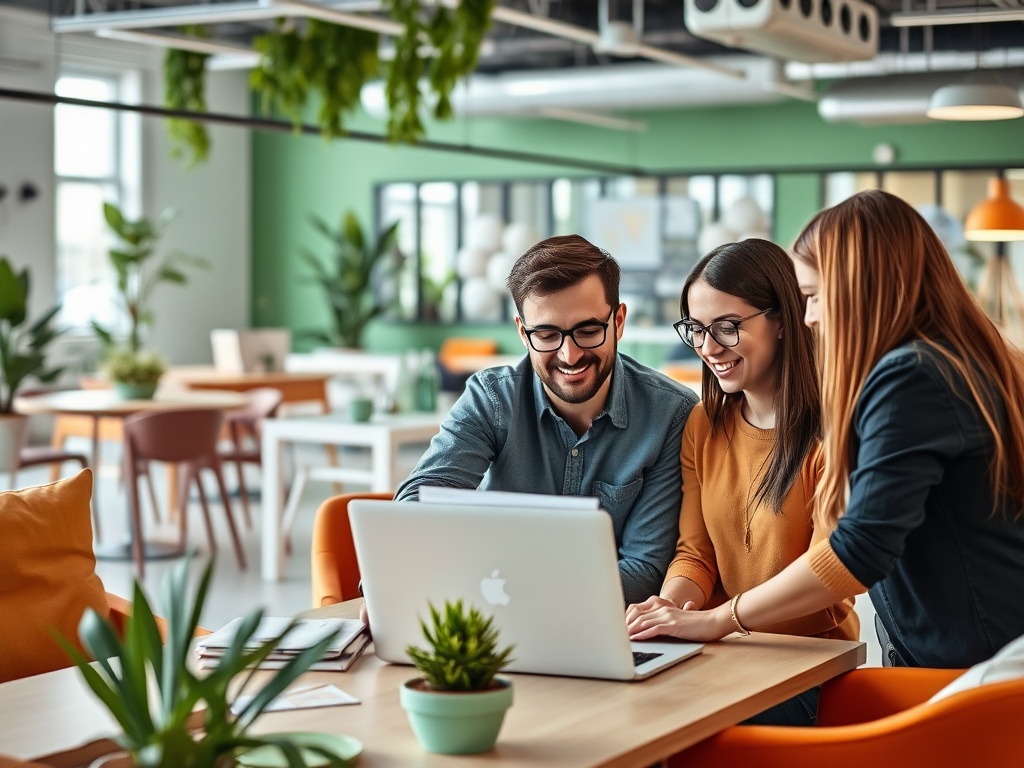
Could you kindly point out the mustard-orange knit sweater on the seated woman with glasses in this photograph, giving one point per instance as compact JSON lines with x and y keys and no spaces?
{"x":720,"y":476}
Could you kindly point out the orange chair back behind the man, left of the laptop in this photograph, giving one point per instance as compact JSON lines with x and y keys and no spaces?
{"x":336,"y":572}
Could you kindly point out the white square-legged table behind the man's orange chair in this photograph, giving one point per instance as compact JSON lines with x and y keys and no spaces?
{"x":383,"y":436}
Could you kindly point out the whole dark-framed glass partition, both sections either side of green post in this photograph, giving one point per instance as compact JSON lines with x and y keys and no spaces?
{"x":459,"y":239}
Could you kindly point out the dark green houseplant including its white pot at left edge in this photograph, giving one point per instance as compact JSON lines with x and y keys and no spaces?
{"x":23,"y":355}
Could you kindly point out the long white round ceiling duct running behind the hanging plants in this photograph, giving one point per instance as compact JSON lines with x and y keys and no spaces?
{"x":604,"y":90}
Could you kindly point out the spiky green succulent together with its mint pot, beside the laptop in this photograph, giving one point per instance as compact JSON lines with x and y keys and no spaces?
{"x":458,"y":707}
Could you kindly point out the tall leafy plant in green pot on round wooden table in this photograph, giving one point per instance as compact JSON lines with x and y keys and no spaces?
{"x":135,"y":374}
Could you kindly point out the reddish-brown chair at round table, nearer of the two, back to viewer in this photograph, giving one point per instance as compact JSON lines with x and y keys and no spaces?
{"x":187,"y":438}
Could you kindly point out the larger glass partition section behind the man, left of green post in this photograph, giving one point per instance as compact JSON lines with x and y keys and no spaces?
{"x":460,"y":239}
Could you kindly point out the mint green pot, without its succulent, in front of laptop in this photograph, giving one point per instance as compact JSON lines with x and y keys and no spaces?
{"x":456,"y":722}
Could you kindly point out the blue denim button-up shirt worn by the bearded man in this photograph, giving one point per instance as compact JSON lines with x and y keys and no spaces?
{"x":503,"y":435}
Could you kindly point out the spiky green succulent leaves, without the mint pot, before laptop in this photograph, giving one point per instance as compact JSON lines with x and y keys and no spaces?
{"x":463,"y":654}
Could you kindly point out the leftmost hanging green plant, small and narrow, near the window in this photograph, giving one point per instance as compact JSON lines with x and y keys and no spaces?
{"x":185,"y":89}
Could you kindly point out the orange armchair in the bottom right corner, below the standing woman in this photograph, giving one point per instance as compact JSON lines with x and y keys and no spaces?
{"x":881,"y":717}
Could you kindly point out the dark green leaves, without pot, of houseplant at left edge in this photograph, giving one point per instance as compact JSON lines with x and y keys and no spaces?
{"x":23,"y":349}
